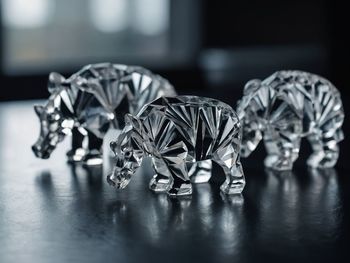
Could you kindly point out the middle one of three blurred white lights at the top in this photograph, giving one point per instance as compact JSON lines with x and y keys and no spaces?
{"x":109,"y":15}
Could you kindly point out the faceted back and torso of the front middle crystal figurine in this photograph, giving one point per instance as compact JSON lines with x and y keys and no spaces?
{"x":203,"y":124}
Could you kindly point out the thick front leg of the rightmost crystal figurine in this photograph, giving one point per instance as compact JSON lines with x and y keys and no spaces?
{"x":282,"y":149}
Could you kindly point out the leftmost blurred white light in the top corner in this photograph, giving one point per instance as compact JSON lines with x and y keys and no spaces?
{"x":26,"y":13}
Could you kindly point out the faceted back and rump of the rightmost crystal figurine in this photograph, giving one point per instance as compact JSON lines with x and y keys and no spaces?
{"x":314,"y":99}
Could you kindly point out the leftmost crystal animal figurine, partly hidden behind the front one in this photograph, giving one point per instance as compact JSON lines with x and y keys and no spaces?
{"x":91,"y":101}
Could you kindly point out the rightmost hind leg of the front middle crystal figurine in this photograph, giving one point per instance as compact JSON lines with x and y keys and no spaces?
{"x":228,"y":158}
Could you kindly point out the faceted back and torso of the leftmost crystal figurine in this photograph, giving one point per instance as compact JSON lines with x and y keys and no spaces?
{"x":106,"y":92}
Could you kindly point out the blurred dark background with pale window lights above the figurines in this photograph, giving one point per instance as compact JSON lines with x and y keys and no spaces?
{"x":202,"y":47}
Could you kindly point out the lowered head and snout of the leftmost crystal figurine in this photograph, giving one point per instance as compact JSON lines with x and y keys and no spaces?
{"x":52,"y":131}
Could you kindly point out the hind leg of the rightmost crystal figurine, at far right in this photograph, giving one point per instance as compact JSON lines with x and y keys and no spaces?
{"x":325,"y":151}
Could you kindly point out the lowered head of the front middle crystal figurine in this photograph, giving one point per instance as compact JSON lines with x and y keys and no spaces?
{"x":128,"y":153}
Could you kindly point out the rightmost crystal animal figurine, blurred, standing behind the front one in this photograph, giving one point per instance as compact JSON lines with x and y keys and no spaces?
{"x":285,"y":107}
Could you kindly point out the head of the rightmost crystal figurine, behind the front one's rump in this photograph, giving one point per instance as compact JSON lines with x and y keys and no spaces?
{"x":248,"y":115}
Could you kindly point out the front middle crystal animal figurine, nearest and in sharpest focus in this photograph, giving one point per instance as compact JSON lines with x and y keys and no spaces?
{"x":180,"y":133}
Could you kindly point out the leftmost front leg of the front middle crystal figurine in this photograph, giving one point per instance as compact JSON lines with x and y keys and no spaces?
{"x":160,"y":182}
